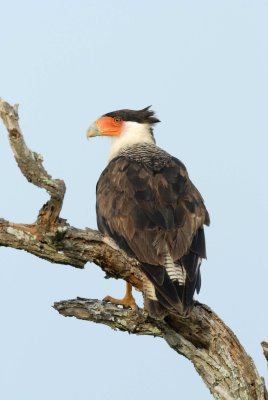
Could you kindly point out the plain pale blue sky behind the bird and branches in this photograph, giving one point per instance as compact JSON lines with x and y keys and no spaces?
{"x":203,"y":67}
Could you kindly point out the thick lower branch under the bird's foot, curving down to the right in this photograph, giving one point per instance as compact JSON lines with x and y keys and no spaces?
{"x":204,"y":339}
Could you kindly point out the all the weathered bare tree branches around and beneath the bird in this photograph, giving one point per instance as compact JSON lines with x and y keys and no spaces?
{"x":203,"y":338}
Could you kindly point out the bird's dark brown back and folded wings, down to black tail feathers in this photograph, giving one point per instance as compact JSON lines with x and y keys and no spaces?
{"x":147,"y":210}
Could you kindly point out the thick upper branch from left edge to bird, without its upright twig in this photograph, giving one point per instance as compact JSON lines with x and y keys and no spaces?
{"x":71,"y":246}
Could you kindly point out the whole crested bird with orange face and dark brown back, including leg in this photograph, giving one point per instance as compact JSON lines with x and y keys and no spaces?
{"x":146,"y":203}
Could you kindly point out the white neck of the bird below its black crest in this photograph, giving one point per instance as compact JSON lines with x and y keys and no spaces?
{"x":133,"y":133}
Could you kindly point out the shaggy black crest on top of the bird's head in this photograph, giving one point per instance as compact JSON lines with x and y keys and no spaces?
{"x":144,"y":116}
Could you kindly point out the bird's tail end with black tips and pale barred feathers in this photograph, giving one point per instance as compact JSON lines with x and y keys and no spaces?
{"x":171,"y":287}
